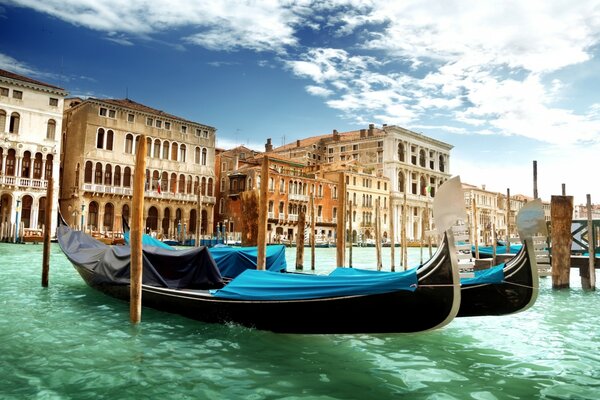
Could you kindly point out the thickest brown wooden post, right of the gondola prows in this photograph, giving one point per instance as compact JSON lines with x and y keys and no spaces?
{"x":561,"y":212}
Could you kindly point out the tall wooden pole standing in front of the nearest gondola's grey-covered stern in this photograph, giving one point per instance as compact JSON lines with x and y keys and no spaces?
{"x":137,"y":230}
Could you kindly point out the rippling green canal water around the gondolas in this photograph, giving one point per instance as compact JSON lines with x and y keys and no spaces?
{"x":70,"y":342}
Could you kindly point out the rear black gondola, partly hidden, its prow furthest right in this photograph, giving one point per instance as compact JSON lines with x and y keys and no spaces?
{"x":510,"y":287}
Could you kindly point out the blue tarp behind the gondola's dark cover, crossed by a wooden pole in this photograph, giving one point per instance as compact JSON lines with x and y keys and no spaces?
{"x":232,"y":261}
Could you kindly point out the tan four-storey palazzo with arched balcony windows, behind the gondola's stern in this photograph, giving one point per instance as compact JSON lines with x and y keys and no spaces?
{"x":100,"y":141}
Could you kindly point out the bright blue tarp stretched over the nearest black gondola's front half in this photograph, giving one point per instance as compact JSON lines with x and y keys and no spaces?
{"x":266,"y":285}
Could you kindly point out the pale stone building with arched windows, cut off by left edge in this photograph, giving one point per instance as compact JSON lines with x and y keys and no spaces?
{"x":31,"y":114}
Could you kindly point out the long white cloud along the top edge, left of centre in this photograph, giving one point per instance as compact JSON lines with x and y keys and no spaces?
{"x":218,"y":25}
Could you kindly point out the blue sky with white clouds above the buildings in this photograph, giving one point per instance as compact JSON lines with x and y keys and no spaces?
{"x":504,"y":82}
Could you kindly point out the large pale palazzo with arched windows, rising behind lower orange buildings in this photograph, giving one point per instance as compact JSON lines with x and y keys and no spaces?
{"x":416,"y":165}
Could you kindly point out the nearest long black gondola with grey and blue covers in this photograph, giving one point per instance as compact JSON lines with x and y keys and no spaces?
{"x":189,"y":283}
